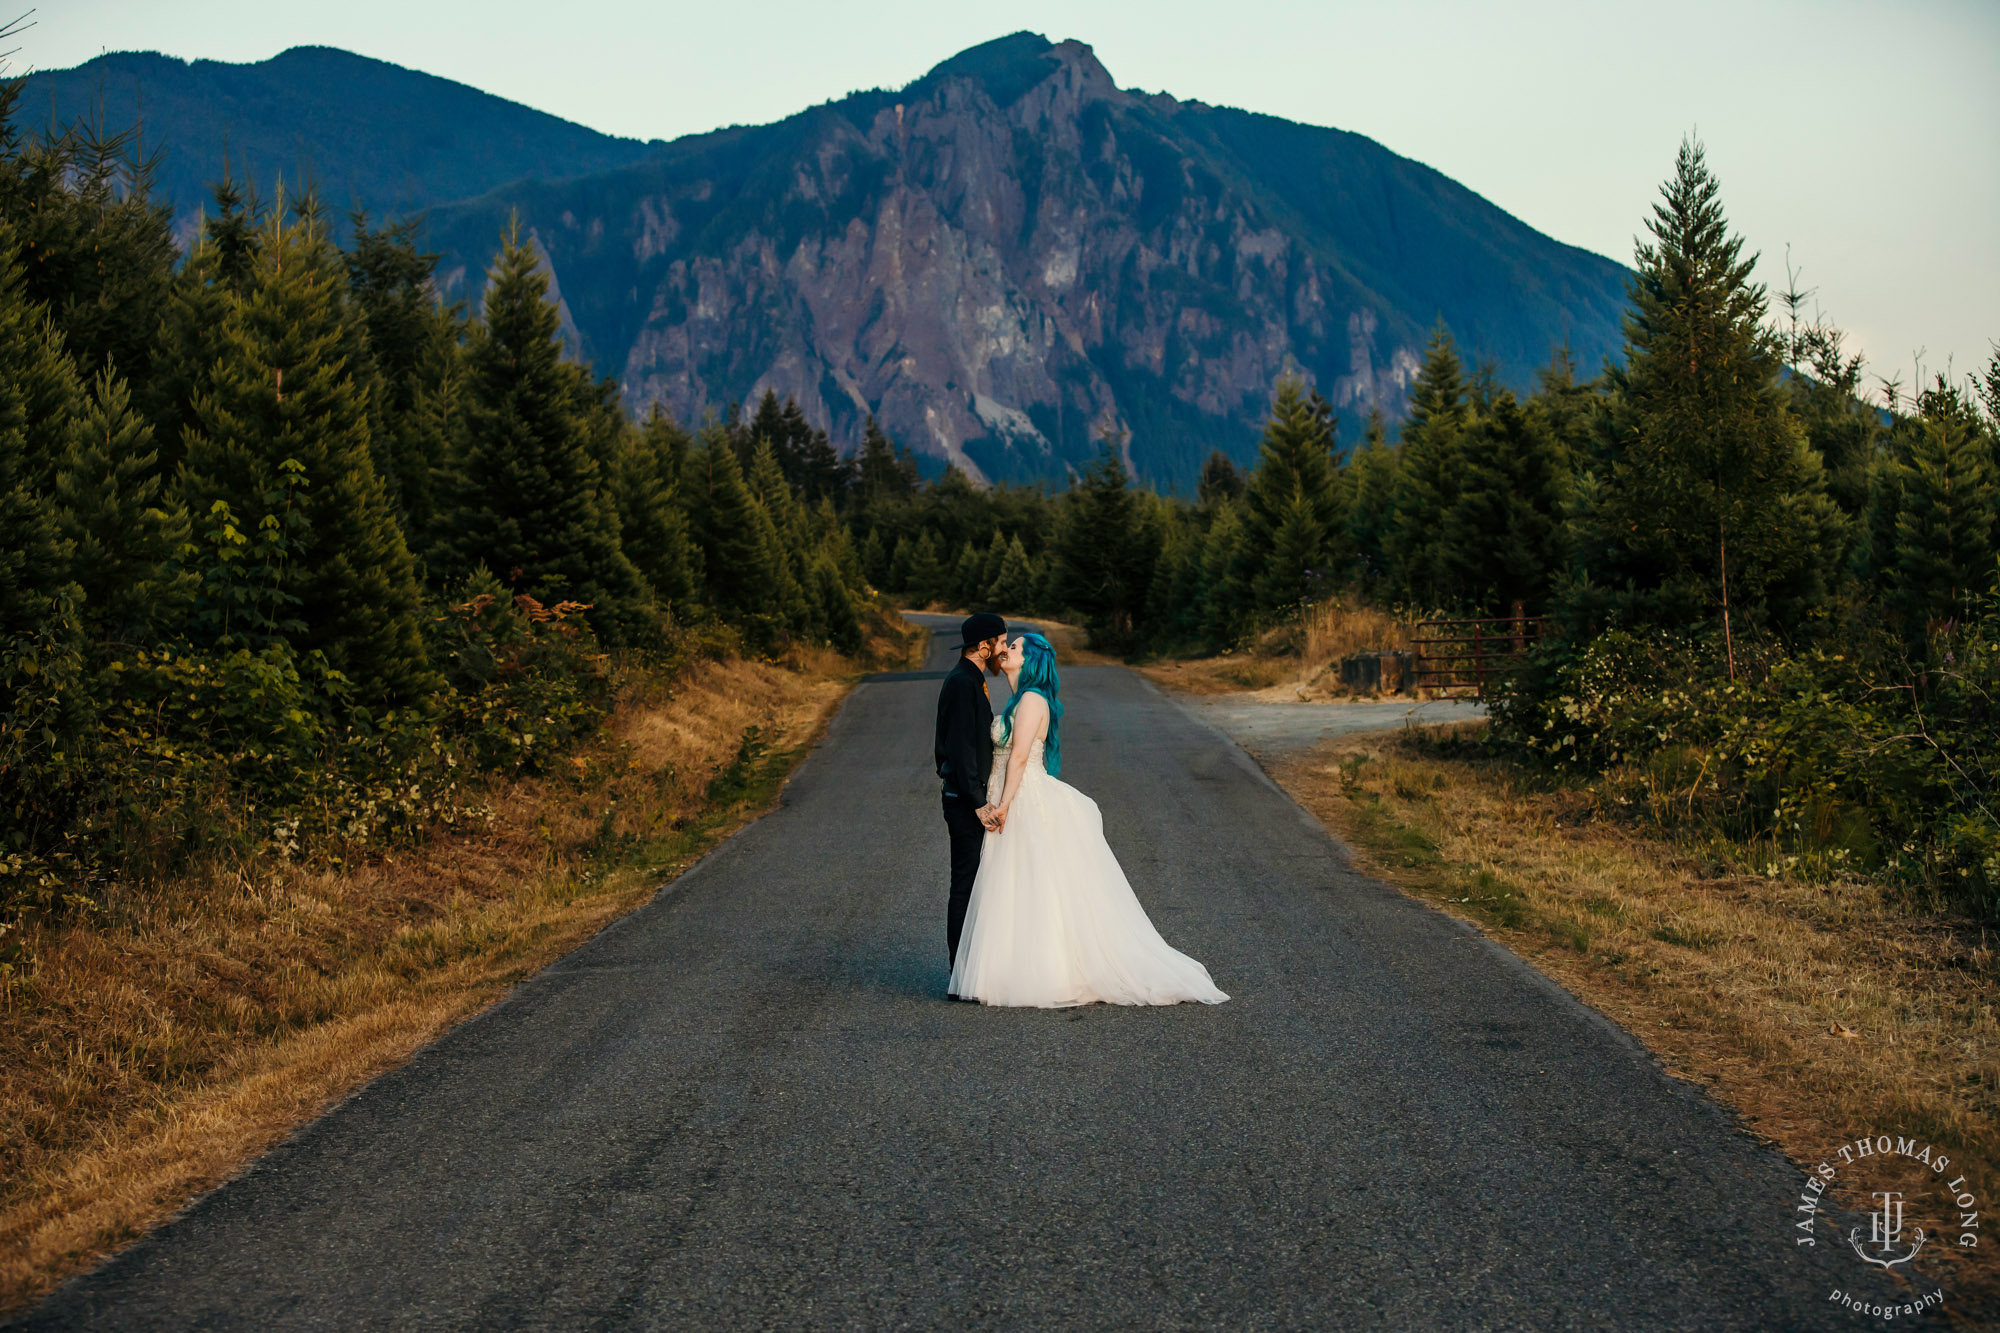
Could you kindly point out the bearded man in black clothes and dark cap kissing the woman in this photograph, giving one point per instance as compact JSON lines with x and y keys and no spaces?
{"x":965,"y":754}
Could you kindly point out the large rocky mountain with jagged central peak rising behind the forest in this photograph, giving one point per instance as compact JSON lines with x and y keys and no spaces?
{"x":1013,"y":255}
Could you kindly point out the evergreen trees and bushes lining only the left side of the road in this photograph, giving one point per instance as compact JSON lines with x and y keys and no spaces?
{"x":287,"y":539}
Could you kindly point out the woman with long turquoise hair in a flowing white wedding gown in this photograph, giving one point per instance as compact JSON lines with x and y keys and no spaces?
{"x":1053,"y":920}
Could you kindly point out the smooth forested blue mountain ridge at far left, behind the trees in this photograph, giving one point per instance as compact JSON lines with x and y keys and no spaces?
{"x":367,"y":133}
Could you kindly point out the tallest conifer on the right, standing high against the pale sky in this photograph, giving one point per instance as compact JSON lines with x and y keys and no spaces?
{"x":1709,"y":477}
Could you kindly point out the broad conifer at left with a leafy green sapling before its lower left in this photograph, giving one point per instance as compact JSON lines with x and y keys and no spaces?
{"x":279,"y":413}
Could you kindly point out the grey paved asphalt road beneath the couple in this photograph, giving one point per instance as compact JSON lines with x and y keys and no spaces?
{"x":747,"y":1106}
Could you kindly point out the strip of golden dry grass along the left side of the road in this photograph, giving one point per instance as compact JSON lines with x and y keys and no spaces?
{"x":161,"y":1046}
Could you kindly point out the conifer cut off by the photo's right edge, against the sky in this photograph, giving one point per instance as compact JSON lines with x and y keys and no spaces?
{"x":1949,"y":513}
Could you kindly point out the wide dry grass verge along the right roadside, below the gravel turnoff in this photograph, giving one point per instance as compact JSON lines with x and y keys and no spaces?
{"x":1819,"y":1012}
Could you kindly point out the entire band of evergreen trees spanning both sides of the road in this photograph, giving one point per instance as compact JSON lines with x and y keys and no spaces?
{"x":287,"y":533}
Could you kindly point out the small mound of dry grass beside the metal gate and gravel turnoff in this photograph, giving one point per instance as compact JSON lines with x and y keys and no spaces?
{"x":1293,"y":663}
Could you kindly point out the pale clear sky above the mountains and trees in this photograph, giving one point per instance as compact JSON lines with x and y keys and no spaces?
{"x":1861,"y":139}
